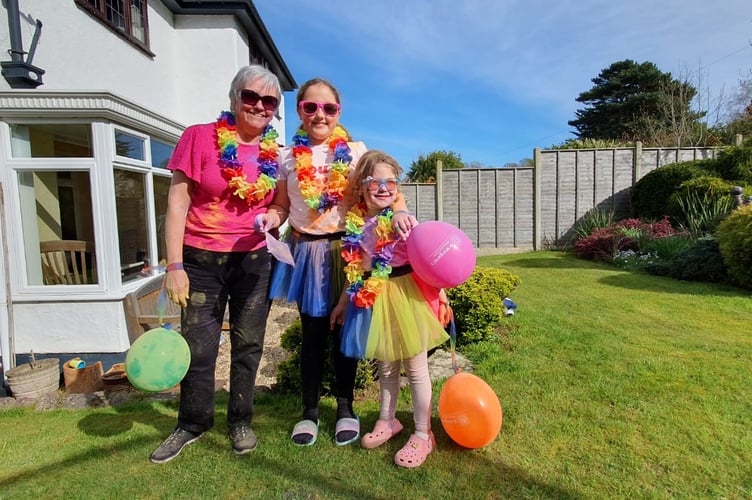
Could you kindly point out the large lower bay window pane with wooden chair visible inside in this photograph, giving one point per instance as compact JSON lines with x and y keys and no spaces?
{"x":58,"y":228}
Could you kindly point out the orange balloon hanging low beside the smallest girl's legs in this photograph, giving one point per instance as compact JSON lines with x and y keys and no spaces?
{"x":469,"y":410}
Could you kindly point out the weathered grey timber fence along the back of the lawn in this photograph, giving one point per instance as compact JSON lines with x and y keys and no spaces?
{"x":497,"y":208}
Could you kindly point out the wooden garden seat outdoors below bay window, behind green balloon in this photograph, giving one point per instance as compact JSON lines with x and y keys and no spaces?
{"x":141,"y":312}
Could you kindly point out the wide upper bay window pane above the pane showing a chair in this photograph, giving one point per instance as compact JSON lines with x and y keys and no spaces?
{"x":51,"y":141}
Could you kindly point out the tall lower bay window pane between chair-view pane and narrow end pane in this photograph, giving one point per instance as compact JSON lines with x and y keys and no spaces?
{"x":131,"y":219}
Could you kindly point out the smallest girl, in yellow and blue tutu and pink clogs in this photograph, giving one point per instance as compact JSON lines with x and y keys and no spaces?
{"x":387,"y":312}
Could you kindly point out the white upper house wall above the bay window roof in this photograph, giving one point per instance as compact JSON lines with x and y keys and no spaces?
{"x":187,"y":80}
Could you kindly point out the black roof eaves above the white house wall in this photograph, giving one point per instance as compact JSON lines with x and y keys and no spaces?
{"x":248,"y":17}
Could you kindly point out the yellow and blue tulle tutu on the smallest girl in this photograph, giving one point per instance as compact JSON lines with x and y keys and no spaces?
{"x":400,"y":324}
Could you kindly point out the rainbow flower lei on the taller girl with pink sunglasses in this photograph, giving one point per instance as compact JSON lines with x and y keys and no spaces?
{"x":317,"y":194}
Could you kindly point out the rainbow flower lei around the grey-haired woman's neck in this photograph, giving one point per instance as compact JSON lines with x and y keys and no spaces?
{"x":232,"y":168}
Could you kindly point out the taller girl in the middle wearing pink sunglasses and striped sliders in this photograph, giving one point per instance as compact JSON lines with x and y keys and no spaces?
{"x":314,"y":179}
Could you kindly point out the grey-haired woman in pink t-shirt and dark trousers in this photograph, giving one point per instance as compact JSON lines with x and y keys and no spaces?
{"x":224,"y":176}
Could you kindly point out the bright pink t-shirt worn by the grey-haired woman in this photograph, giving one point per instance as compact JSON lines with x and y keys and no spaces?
{"x":217,"y":220}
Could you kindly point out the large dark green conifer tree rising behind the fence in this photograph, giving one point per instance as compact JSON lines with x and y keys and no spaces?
{"x":625,"y":95}
